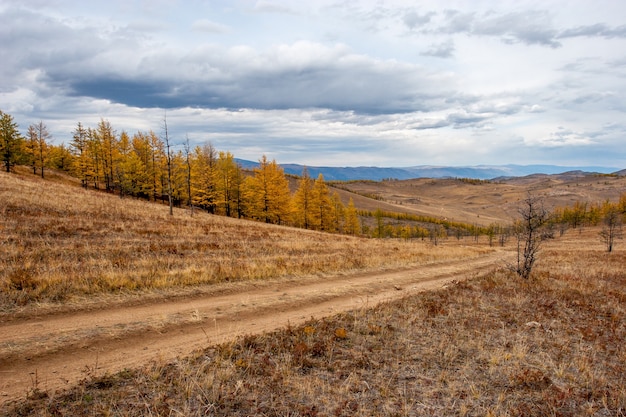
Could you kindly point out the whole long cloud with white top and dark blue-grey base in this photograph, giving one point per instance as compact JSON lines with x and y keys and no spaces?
{"x":302,"y":75}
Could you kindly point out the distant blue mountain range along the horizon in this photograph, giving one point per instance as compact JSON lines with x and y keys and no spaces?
{"x":482,"y":172}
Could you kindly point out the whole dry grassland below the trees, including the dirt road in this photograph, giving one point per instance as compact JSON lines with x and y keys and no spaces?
{"x":207,"y":315}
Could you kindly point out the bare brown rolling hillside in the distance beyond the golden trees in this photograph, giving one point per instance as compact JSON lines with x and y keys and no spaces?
{"x":483,"y":202}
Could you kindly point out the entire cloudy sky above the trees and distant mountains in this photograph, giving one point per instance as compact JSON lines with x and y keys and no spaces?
{"x":329,"y":83}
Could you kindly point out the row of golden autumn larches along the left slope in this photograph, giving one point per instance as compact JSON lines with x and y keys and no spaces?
{"x":144,"y":165}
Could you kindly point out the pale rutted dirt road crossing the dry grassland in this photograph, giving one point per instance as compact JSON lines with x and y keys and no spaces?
{"x":56,"y":351}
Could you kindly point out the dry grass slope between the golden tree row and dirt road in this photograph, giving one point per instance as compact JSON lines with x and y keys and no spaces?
{"x":61,"y":243}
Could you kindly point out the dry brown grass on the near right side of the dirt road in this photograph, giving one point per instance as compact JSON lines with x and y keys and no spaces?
{"x":495,"y":345}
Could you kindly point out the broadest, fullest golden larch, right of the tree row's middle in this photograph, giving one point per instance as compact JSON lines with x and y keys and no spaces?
{"x":267,"y":193}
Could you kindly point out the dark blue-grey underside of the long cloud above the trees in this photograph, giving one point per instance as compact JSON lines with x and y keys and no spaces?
{"x":361,"y":91}
